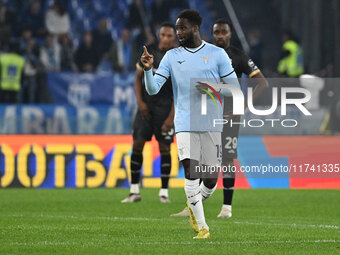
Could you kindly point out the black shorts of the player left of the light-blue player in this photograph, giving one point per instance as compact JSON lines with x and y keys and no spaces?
{"x":144,"y":129}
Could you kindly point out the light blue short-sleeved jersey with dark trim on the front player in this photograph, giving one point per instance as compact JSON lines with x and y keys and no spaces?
{"x":186,"y":67}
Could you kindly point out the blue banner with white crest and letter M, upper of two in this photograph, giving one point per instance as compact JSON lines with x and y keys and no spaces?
{"x":92,"y":88}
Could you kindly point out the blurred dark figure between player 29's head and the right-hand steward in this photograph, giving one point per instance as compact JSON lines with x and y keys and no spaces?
{"x":256,"y":46}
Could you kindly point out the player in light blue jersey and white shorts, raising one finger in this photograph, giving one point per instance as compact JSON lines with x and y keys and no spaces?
{"x":198,"y":140}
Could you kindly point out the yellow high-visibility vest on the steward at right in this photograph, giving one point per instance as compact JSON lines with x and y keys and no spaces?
{"x":292,"y":65}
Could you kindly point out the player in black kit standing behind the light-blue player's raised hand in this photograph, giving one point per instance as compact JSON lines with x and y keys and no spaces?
{"x":154,"y":117}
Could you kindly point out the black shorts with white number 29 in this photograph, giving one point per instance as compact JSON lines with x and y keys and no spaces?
{"x":230,"y":140}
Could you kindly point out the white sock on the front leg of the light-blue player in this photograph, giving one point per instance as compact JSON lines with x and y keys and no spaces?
{"x":193,"y":193}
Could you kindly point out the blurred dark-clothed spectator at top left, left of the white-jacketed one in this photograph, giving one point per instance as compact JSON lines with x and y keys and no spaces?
{"x":34,"y":18}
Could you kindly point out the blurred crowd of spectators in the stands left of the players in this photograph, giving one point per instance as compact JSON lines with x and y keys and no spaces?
{"x":43,"y":38}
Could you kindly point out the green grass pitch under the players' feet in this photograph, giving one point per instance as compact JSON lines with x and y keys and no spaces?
{"x":85,"y":221}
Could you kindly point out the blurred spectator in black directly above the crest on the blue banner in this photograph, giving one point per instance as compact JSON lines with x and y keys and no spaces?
{"x":87,"y":57}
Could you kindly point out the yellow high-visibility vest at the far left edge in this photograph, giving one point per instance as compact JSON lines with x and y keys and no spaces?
{"x":12,"y":66}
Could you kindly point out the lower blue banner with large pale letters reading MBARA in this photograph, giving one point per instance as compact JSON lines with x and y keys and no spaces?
{"x":65,"y":119}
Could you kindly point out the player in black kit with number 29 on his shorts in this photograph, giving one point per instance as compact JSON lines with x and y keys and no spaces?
{"x":222,"y":32}
